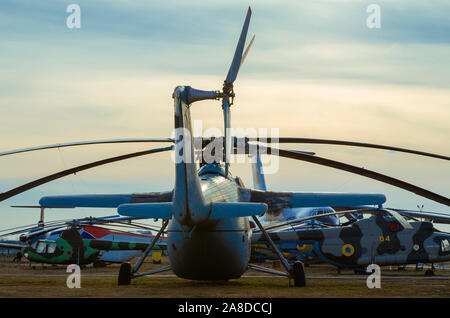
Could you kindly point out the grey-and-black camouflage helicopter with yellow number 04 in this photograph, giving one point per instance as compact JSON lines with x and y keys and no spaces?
{"x":385,"y":238}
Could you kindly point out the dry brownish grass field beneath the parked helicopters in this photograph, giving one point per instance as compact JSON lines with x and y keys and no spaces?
{"x":21,"y":280}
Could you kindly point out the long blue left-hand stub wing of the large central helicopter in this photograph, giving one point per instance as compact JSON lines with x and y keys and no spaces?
{"x":104,"y":200}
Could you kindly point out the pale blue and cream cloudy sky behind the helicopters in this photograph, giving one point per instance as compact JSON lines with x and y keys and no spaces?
{"x":315,"y":70}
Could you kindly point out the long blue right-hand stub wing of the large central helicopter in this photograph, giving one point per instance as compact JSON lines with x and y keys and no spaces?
{"x":278,"y":200}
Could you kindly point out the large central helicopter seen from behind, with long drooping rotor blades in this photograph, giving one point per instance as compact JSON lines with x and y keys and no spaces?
{"x":206,"y":216}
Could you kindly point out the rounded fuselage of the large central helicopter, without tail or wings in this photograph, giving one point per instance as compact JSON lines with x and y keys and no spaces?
{"x":214,"y":249}
